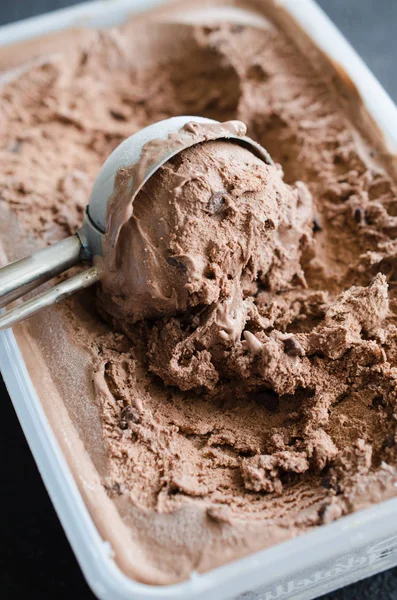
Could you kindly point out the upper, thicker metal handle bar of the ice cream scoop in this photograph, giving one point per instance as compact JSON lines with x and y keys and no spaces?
{"x":22,"y":276}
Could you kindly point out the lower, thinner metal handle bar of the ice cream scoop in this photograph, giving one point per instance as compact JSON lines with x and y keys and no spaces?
{"x":52,"y":296}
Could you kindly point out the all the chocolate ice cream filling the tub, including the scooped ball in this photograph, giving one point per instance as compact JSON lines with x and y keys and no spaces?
{"x":234,"y":383}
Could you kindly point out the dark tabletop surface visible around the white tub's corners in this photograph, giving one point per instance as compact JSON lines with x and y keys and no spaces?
{"x":35,"y":557}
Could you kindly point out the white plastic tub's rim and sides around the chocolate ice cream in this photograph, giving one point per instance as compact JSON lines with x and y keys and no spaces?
{"x":313,"y":564}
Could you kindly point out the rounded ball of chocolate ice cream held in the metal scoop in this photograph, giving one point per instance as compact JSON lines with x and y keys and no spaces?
{"x":213,"y":214}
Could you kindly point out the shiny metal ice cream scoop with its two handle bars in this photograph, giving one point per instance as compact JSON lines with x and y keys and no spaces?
{"x":24,"y":275}
